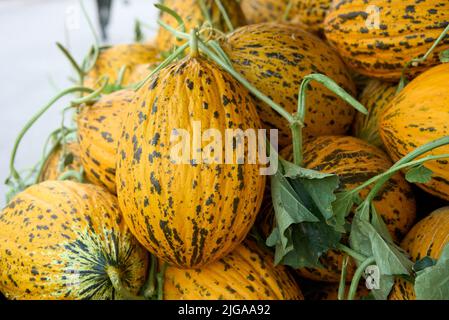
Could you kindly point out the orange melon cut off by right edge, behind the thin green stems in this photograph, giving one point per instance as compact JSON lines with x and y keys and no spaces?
{"x":418,"y":115}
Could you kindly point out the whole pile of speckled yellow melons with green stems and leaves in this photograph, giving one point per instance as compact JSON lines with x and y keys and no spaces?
{"x":129,"y":203}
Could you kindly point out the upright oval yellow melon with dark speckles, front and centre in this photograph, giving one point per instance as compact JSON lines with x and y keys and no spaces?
{"x":187,"y":213}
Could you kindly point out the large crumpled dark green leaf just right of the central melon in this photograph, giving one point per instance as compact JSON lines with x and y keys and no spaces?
{"x":302,"y":201}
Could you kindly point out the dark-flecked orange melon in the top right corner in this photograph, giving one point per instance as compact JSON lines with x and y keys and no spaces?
{"x":403,"y":30}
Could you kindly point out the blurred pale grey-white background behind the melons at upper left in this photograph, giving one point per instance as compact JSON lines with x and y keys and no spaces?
{"x":33,"y":70}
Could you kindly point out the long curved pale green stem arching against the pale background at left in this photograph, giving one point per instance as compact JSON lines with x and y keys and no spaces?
{"x":30,"y":123}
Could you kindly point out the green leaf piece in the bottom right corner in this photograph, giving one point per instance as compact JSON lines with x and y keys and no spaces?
{"x":432,"y":283}
